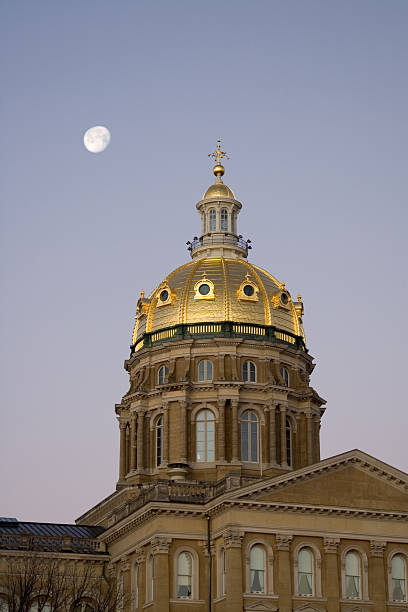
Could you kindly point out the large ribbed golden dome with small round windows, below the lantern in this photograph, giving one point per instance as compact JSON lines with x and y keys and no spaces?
{"x":178,"y":300}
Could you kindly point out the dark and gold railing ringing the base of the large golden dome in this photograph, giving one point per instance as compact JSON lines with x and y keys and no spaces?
{"x":226,"y":329}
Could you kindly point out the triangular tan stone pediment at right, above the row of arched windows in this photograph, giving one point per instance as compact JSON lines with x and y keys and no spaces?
{"x":351,"y":480}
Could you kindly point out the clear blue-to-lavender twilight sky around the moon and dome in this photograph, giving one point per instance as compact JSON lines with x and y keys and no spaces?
{"x":310,"y":99}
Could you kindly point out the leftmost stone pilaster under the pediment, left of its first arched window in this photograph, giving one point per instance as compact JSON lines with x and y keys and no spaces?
{"x":233,"y":561}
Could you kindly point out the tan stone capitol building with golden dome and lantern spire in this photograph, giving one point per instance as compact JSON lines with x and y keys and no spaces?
{"x":223,"y":503}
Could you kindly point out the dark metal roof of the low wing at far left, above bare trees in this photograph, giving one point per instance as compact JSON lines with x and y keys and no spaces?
{"x":14,"y":527}
